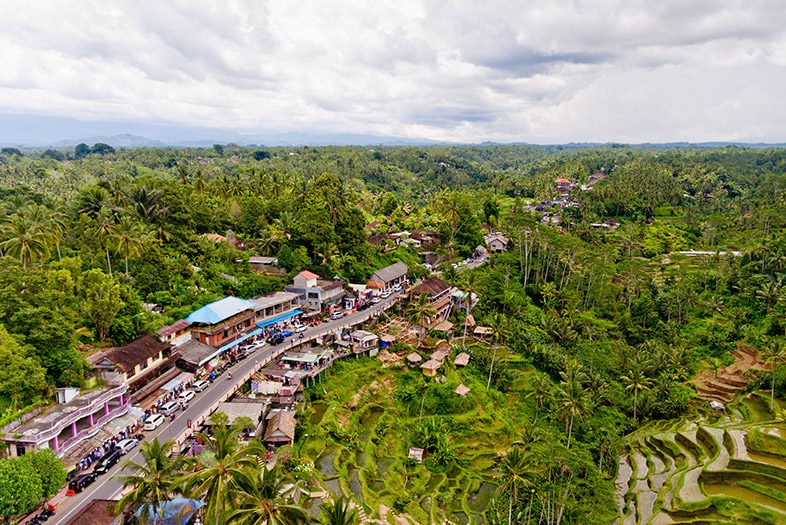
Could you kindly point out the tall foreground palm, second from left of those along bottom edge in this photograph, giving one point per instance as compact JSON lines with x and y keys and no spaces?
{"x":217,"y":480}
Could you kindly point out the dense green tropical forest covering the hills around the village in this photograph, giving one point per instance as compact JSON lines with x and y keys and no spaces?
{"x":598,"y":323}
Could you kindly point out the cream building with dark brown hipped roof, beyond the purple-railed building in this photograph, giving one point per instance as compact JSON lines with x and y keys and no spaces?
{"x":143,"y":365}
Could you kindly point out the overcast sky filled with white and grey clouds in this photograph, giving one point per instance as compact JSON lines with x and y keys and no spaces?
{"x":543,"y":71}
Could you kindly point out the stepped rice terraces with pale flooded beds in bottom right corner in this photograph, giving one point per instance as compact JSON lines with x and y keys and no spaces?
{"x":711,"y":470}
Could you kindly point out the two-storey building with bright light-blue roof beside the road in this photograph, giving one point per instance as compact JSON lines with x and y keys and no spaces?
{"x":222,"y":323}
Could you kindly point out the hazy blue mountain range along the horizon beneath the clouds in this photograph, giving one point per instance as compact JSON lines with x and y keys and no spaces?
{"x":36,"y":131}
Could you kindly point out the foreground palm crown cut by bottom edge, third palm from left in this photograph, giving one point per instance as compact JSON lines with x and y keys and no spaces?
{"x":261,"y":500}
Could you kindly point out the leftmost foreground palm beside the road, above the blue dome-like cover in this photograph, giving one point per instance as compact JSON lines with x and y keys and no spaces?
{"x":152,"y":480}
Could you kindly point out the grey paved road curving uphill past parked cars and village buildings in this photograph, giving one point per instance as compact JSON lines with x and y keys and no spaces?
{"x":202,"y":405}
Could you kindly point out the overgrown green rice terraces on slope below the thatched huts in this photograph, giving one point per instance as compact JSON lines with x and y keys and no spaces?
{"x":357,"y":437}
